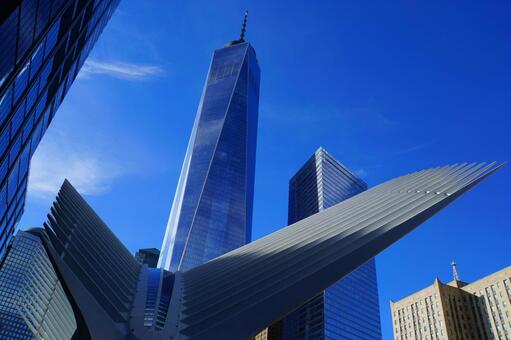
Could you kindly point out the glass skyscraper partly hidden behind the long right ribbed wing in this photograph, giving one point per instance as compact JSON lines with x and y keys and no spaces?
{"x":349,"y":309}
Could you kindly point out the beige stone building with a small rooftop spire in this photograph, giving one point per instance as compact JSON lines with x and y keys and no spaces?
{"x":457,"y":310}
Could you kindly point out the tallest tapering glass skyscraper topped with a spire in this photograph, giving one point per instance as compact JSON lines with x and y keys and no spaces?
{"x":212,"y":209}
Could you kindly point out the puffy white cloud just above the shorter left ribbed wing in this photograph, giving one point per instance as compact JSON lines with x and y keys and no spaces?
{"x":89,"y":170}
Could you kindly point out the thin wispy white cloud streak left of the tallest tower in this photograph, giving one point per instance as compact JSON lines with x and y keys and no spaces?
{"x":120,"y":70}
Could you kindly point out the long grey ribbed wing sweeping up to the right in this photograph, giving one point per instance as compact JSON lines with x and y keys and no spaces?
{"x":243,"y":291}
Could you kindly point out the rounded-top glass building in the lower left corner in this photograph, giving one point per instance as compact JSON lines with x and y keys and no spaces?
{"x":33,"y":304}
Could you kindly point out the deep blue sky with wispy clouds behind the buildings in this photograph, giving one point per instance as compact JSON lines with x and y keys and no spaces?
{"x":387,"y":87}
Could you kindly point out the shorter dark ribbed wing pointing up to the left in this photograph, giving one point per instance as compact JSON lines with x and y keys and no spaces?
{"x":90,"y":249}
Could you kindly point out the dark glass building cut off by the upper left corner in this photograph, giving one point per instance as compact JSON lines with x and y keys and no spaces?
{"x":43,"y":44}
